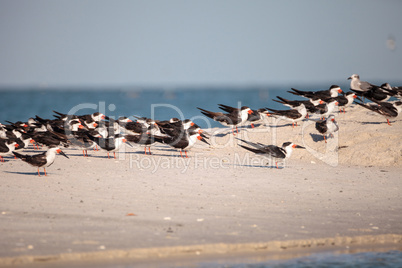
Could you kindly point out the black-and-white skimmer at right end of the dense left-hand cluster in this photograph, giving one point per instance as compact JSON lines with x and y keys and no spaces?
{"x":184,"y":142}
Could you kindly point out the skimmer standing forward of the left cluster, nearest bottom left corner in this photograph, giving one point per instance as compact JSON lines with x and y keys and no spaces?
{"x":44,"y":159}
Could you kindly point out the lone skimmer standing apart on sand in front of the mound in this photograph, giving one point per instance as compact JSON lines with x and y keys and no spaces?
{"x":272,"y":151}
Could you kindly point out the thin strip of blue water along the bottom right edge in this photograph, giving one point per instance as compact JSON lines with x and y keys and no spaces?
{"x":391,"y":259}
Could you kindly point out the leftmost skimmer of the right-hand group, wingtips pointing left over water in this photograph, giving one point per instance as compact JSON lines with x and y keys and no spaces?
{"x":234,"y":118}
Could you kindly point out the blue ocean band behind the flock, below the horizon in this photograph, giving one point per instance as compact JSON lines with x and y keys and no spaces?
{"x":21,"y":104}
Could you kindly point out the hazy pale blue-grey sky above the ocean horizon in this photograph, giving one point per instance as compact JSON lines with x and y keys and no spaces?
{"x":198,"y":43}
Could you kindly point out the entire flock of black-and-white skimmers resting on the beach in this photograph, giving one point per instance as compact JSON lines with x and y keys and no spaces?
{"x":99,"y":131}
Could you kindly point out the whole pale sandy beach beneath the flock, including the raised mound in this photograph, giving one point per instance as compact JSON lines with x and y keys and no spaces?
{"x":221,"y":200}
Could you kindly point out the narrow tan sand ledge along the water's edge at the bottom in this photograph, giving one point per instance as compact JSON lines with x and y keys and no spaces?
{"x":214,"y":253}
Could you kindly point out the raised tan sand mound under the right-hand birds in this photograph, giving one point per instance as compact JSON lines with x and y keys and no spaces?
{"x":364,"y":139}
